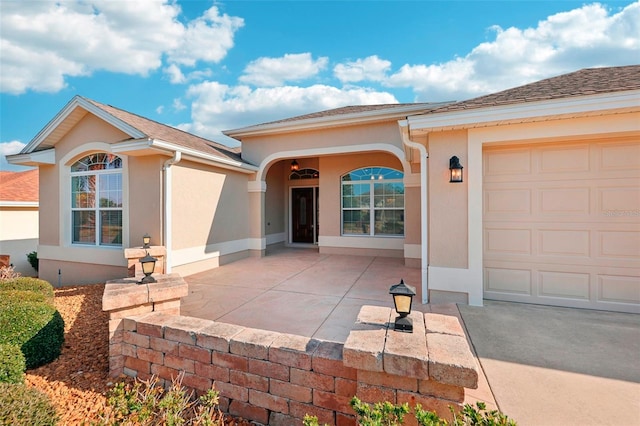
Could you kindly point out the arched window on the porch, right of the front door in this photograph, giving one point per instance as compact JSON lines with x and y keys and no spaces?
{"x":373,"y":202}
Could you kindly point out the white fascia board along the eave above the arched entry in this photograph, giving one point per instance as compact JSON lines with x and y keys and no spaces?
{"x":333,"y":120}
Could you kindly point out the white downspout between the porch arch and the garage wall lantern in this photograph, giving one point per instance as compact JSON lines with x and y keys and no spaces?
{"x":424,"y":192}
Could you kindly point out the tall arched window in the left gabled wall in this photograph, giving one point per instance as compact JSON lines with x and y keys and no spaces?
{"x":96,"y":200}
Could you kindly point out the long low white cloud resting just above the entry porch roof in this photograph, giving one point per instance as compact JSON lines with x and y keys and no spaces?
{"x":218,"y":107}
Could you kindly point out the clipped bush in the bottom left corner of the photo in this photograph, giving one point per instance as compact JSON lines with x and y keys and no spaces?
{"x":22,"y":405}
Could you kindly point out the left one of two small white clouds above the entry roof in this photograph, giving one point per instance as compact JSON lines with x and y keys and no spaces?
{"x":277,"y":71}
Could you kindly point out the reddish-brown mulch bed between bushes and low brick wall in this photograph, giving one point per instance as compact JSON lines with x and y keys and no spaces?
{"x":78,"y":381}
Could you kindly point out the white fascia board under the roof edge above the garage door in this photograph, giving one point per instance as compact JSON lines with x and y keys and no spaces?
{"x":530,"y":111}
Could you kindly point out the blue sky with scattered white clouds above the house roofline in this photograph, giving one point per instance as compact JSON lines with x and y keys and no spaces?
{"x":206,"y":66}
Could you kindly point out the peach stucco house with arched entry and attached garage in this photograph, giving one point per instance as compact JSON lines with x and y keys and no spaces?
{"x":548,"y":210}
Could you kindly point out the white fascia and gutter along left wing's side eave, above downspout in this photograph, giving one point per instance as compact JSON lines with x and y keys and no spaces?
{"x":191,"y":154}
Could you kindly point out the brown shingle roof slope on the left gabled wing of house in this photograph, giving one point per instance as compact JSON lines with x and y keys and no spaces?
{"x":156,"y":130}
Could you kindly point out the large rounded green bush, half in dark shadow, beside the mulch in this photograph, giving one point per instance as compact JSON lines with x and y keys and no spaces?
{"x":31,"y":323}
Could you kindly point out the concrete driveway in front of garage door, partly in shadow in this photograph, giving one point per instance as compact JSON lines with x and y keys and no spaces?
{"x":558,"y":366}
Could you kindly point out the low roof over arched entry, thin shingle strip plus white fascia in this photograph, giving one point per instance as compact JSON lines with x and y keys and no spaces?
{"x":349,"y":115}
